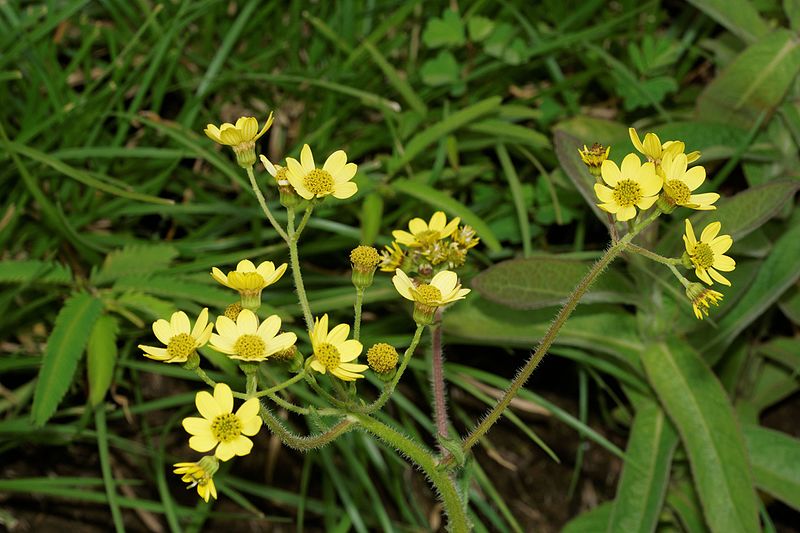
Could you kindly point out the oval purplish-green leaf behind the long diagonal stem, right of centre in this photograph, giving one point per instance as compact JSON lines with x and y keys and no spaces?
{"x":543,"y":281}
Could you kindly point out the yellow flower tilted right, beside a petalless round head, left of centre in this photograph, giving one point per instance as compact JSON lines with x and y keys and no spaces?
{"x":334,"y":352}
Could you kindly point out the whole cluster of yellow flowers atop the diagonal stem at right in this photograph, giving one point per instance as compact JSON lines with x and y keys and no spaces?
{"x":664,"y":182}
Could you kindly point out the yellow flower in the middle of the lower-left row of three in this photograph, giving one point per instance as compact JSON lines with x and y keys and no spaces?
{"x":246,"y":340}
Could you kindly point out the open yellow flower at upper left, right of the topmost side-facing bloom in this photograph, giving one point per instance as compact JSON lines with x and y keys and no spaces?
{"x":332,"y":179}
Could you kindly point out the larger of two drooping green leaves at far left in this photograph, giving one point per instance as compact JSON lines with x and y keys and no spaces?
{"x":65,"y":347}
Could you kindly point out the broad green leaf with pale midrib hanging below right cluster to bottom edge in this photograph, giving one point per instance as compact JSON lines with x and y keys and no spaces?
{"x":699,"y":407}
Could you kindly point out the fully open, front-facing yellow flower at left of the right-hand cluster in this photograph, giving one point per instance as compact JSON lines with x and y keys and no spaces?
{"x":634,"y":185}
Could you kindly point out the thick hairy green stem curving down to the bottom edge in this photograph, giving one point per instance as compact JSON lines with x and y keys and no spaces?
{"x":448,"y":491}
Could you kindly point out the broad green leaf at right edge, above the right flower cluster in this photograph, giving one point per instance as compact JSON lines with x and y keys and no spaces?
{"x":755,"y":83}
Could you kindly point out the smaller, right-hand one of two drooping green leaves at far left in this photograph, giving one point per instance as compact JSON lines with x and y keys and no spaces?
{"x":101,"y":356}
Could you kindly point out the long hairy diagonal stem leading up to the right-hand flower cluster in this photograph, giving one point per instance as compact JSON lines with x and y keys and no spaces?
{"x":550,"y":336}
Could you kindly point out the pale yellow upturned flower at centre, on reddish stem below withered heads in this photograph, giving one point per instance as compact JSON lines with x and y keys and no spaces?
{"x":443,"y":289}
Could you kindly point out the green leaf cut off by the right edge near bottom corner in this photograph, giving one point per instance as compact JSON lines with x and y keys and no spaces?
{"x":775,"y":457}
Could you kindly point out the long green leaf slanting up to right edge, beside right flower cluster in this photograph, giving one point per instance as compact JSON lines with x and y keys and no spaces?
{"x":779,"y":271}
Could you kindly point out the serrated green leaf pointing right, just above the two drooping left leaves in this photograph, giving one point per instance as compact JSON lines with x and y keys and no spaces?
{"x":135,"y":260}
